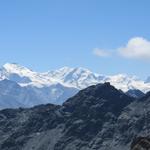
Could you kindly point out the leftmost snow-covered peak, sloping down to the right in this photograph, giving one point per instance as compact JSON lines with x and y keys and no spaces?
{"x":24,"y":76}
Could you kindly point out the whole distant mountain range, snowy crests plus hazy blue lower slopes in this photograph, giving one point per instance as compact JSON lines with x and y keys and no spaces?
{"x":22,"y":87}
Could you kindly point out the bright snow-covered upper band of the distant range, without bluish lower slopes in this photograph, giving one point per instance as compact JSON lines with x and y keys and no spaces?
{"x":78,"y":78}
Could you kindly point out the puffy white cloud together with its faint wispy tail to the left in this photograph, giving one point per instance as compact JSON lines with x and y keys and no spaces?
{"x":136,"y":48}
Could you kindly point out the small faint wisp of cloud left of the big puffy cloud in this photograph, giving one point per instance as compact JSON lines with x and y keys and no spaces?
{"x":100,"y":52}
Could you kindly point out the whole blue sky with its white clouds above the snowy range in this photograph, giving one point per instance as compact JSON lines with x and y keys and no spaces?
{"x":49,"y":34}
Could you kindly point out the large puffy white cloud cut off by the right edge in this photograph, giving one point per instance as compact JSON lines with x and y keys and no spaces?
{"x":137,"y":48}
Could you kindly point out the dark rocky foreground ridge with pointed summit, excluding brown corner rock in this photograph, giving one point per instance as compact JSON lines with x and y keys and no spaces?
{"x":97,"y":118}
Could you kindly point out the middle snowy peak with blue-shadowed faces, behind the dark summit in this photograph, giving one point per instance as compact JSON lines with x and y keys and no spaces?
{"x":76,"y":77}
